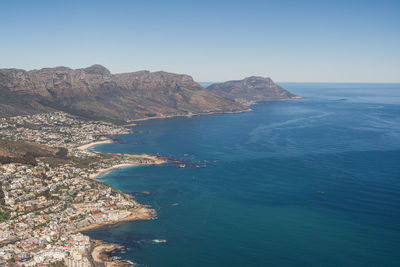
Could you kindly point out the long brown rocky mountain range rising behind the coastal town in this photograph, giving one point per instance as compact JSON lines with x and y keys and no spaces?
{"x":95,"y":93}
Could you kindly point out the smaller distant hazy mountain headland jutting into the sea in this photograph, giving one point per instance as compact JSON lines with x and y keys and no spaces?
{"x":251,"y":90}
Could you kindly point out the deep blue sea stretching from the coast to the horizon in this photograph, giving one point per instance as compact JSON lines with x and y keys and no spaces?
{"x":254,"y":201}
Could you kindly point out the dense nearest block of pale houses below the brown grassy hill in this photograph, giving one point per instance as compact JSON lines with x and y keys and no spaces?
{"x":46,"y":206}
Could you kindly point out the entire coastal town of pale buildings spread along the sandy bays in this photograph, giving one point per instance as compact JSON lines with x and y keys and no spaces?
{"x":44,"y":208}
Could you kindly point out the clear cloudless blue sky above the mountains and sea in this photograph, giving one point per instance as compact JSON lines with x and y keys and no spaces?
{"x":315,"y":41}
